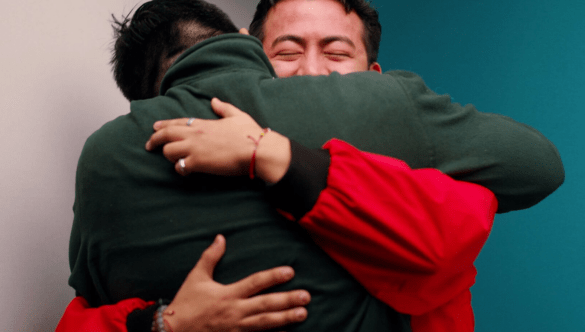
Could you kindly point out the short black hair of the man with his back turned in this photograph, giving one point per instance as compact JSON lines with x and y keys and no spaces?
{"x":153,"y":30}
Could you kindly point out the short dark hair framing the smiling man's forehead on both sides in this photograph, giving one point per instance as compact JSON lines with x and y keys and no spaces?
{"x":368,"y":15}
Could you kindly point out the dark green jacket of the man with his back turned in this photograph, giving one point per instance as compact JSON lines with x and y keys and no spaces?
{"x":139,"y":227}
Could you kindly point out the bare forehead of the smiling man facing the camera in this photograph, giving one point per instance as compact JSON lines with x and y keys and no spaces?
{"x":312,"y":19}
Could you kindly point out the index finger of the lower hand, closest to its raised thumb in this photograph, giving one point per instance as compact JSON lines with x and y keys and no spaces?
{"x":262,"y":280}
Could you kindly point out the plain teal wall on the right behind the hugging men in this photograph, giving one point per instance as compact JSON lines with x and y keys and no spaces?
{"x":524,"y":59}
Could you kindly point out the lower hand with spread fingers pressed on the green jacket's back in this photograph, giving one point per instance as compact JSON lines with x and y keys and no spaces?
{"x":202,"y":305}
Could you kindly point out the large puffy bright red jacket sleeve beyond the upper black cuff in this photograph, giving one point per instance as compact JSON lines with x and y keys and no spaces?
{"x":409,"y":236}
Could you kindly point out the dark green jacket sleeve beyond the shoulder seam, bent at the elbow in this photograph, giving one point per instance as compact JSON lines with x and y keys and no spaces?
{"x":512,"y":159}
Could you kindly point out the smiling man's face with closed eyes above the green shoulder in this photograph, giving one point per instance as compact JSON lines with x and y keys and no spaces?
{"x":314,"y":37}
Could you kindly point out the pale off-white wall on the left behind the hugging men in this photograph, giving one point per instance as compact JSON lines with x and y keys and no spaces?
{"x":56,"y":89}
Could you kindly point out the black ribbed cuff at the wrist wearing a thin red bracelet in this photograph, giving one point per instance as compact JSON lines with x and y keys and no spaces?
{"x":298,"y":191}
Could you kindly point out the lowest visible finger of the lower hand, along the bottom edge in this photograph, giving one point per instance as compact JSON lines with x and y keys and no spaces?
{"x":273,"y":320}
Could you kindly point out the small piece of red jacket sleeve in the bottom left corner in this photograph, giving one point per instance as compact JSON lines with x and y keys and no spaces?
{"x":80,"y":317}
